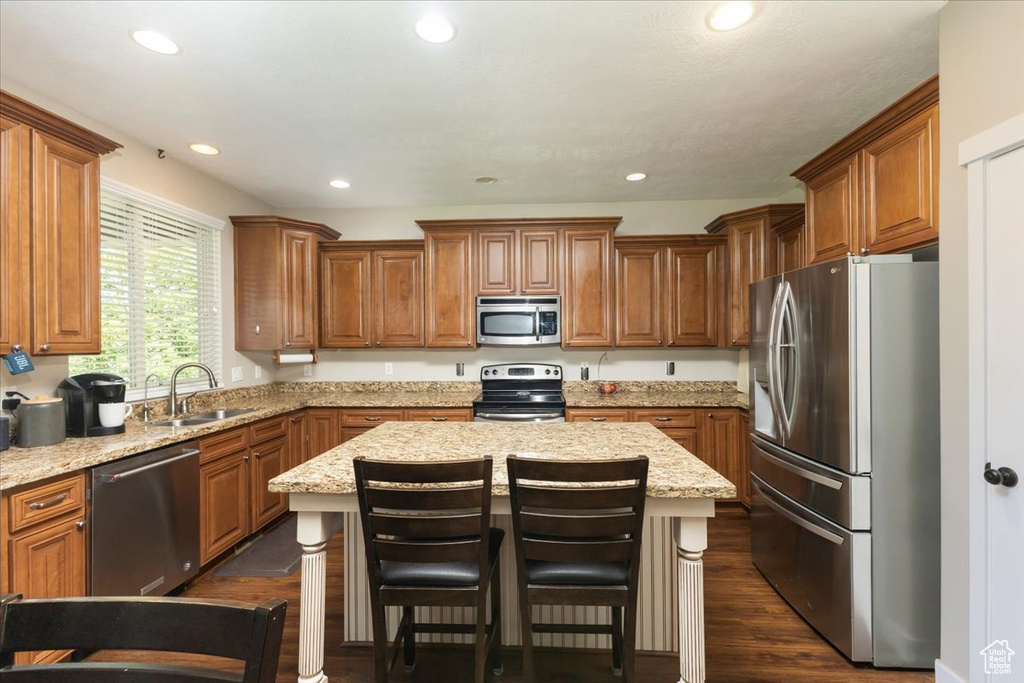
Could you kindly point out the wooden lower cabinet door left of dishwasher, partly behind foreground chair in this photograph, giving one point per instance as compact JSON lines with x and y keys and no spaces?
{"x":50,"y":564}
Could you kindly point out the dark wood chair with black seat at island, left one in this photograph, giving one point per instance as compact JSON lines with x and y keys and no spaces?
{"x":430,"y":542}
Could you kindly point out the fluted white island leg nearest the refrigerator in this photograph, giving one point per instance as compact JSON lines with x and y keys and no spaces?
{"x":692,"y":540}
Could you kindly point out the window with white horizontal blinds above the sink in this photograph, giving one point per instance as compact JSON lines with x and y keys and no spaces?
{"x":160,"y":273}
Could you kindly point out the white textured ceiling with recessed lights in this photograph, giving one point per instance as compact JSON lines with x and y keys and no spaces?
{"x":559,"y":101}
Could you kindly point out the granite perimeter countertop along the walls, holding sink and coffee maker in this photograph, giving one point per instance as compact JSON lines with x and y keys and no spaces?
{"x":24,"y":466}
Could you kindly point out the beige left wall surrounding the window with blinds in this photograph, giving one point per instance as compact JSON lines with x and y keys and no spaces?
{"x":137,"y":165}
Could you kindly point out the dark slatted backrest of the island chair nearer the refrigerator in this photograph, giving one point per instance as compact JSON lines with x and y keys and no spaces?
{"x":578,"y":511}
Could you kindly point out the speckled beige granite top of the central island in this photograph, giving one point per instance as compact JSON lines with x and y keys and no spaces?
{"x":674,"y":472}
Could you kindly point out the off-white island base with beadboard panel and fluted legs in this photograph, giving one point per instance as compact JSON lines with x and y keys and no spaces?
{"x":670,"y":600}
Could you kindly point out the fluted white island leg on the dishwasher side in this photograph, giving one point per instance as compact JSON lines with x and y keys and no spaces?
{"x":314,"y":532}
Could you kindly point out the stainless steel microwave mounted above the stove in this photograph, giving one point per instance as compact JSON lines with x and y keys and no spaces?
{"x":519,"y":321}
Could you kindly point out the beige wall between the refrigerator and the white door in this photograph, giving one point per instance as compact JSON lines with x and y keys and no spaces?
{"x":982,"y":72}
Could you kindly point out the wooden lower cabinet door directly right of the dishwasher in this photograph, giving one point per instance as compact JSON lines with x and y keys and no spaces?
{"x":224,"y":496}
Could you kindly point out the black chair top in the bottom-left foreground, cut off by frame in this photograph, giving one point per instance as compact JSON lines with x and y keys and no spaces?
{"x":220,"y":628}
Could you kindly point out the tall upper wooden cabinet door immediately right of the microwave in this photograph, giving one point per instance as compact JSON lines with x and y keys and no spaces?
{"x":588,"y":304}
